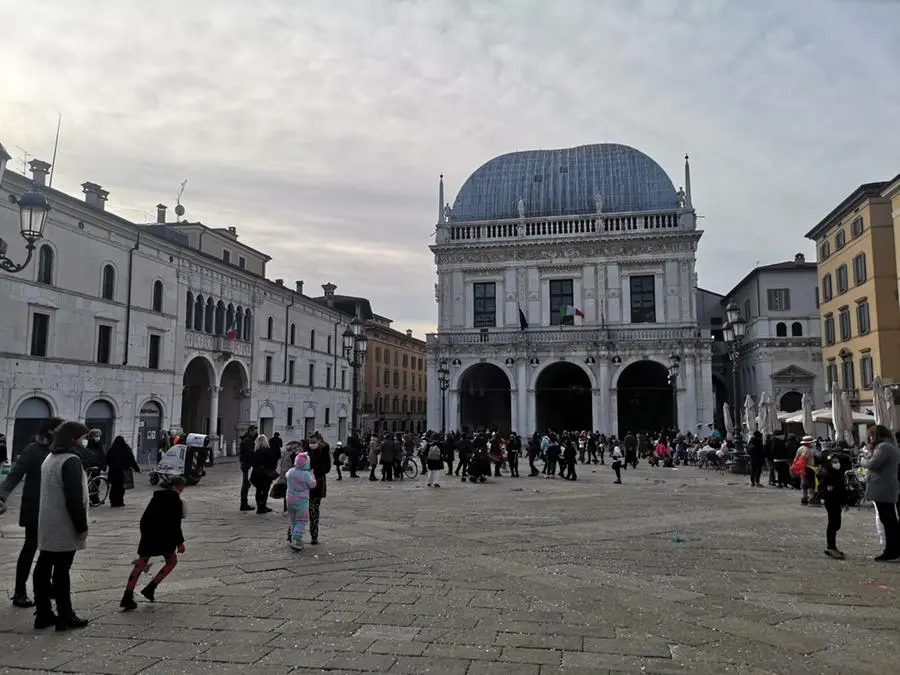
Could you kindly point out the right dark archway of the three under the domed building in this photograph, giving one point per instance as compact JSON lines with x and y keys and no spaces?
{"x":644,"y":398}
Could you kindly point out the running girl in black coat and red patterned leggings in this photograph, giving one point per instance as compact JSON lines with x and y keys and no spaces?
{"x":160,"y":536}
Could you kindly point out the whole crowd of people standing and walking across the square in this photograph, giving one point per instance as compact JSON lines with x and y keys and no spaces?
{"x":57,"y":466}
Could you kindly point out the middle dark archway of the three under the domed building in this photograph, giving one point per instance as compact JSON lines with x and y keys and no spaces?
{"x":563,"y":400}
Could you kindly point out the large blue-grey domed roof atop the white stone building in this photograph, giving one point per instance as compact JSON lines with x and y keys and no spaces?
{"x":565,"y":182}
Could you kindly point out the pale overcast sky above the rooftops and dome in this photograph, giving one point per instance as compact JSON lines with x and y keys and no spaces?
{"x":319,"y":127}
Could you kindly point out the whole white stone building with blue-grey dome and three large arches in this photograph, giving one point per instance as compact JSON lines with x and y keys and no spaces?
{"x":566,"y":285}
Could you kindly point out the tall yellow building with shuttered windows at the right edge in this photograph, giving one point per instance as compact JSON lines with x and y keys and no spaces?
{"x":857,"y":269}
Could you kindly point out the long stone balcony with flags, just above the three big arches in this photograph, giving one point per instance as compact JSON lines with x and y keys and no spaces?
{"x":562,"y":335}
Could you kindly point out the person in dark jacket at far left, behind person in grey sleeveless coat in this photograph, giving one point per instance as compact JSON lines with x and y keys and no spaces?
{"x":28,"y":466}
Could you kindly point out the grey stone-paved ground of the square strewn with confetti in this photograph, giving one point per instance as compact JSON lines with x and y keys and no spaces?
{"x":676,"y":571}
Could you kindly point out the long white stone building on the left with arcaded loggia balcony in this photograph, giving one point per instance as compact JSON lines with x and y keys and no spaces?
{"x":135,"y":328}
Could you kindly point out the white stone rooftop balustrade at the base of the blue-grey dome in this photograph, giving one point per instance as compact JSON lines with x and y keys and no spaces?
{"x":556,"y":227}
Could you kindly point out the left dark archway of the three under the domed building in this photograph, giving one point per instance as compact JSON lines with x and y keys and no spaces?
{"x":485,"y":400}
